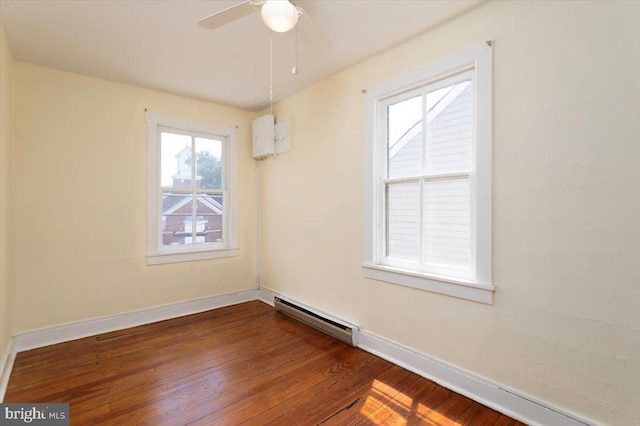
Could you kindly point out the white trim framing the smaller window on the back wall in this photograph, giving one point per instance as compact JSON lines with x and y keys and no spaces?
{"x":155,"y":253}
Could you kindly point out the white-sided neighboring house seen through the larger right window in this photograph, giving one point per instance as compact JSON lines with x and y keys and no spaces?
{"x":445,"y":228}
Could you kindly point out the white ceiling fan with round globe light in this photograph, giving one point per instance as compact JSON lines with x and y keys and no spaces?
{"x":279,"y":15}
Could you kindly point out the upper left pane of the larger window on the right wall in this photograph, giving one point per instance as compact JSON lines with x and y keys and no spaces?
{"x":404,"y":138}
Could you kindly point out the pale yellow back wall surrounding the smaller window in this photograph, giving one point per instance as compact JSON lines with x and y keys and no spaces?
{"x":80,"y":201}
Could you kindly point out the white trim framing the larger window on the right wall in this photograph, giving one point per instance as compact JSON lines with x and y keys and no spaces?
{"x":481,"y":288}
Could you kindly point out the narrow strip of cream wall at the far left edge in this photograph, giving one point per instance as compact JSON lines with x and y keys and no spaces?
{"x":6,"y":279}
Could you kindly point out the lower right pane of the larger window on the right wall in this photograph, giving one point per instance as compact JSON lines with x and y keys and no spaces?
{"x":447,"y":222}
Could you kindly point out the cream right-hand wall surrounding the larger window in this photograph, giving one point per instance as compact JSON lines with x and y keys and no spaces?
{"x":565,"y":325}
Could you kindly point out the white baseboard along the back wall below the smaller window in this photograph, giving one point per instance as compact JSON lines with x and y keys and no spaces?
{"x":33,"y":339}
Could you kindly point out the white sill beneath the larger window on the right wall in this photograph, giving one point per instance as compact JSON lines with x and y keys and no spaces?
{"x":462,"y":289}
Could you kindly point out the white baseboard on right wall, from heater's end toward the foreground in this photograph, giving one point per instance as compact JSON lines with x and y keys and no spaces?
{"x":508,"y":401}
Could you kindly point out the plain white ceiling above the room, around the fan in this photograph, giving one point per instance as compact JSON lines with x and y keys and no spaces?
{"x":157,"y":44}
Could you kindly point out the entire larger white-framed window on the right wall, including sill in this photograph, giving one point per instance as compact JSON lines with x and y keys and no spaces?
{"x":428,"y":194}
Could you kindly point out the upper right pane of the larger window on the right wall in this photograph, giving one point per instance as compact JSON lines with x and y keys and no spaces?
{"x":449,"y":128}
